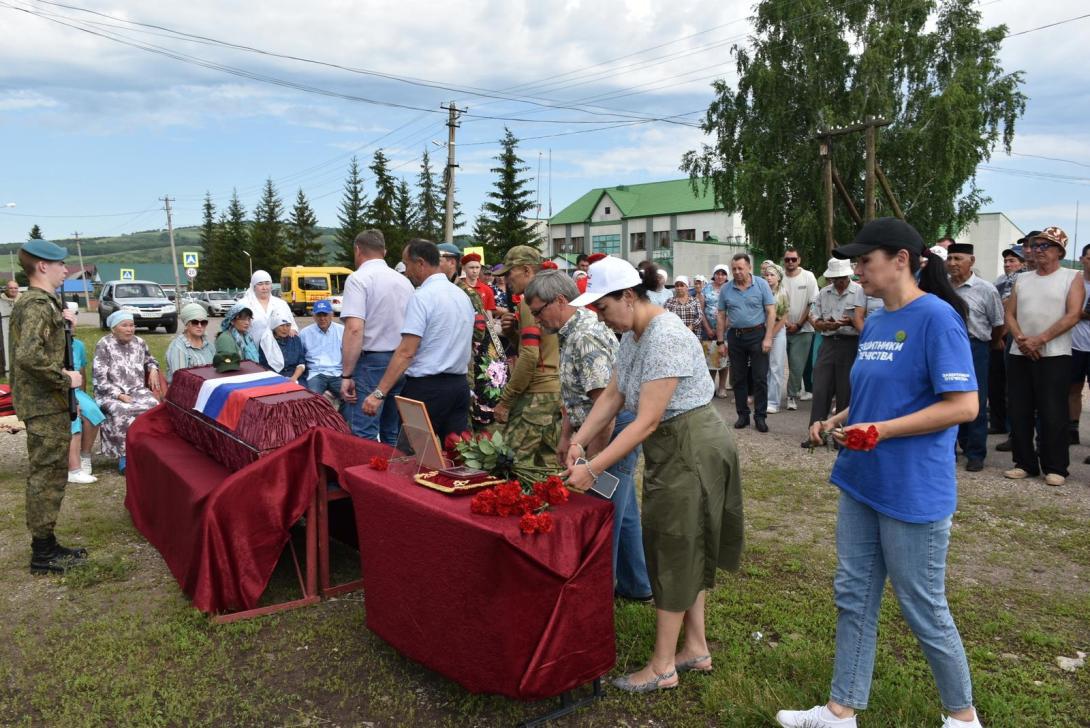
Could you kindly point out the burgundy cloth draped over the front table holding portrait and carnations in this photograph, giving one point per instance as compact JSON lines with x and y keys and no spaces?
{"x":477,"y":601}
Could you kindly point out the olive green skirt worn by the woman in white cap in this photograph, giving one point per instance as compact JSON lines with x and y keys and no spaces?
{"x":693,"y":506}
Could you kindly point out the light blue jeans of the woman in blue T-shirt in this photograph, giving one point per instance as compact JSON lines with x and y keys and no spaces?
{"x":869,"y":548}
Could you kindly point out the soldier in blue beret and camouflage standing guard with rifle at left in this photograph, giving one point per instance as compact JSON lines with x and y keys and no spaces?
{"x":40,"y":390}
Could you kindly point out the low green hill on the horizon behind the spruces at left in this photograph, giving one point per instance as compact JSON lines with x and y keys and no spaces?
{"x":149,"y":246}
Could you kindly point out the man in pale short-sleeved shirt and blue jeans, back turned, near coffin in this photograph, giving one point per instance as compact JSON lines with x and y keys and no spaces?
{"x":373,"y":312}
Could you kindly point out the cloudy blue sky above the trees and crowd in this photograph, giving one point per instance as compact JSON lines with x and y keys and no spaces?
{"x":93,"y":131}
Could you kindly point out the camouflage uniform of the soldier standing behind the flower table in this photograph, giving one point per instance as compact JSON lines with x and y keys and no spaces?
{"x":534,"y":395}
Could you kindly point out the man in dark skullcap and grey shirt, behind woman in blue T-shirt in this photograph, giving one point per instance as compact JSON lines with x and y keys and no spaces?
{"x":986,"y":334}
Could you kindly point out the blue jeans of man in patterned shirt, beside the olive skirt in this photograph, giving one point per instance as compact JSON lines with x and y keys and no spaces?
{"x":631,"y":569}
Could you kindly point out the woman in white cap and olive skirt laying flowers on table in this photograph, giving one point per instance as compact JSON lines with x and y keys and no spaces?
{"x":693,"y":507}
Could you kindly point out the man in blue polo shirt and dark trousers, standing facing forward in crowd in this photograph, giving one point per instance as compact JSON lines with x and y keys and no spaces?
{"x":747,"y":314}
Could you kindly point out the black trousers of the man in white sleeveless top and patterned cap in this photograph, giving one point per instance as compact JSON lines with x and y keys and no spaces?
{"x":1037,"y":392}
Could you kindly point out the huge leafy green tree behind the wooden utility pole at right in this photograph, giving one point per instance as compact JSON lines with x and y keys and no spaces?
{"x":931,"y":69}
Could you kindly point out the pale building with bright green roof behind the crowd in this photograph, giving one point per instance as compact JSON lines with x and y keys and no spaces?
{"x":670,"y":223}
